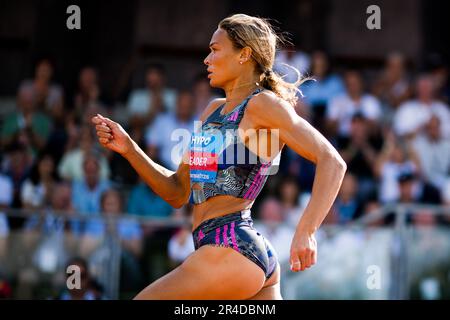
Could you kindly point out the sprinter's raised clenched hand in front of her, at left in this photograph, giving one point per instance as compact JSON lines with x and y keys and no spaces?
{"x":111,"y":135}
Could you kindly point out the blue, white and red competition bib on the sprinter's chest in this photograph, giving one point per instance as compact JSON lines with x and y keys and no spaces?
{"x":204,"y":153}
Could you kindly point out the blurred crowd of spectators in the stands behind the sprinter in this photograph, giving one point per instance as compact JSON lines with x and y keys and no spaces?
{"x":391,"y":126}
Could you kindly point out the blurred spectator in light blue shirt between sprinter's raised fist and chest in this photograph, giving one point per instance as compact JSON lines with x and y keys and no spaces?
{"x":163,"y":142}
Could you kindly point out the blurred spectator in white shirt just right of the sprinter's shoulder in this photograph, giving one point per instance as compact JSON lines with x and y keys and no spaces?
{"x":341,"y":109}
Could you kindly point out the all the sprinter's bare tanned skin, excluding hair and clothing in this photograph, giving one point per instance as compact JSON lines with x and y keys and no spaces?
{"x":217,"y":272}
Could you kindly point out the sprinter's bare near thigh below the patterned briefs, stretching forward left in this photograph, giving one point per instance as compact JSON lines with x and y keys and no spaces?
{"x":209,"y":273}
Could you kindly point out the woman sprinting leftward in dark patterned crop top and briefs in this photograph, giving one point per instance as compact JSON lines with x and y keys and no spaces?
{"x":232,"y":260}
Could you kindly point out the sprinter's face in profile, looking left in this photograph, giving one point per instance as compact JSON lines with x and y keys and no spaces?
{"x":223,"y":60}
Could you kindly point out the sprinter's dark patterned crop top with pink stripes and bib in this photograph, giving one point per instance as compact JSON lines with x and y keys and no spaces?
{"x":220,"y":162}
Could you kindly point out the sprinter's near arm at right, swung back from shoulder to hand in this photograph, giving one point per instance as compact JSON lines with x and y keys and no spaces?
{"x":268,"y":111}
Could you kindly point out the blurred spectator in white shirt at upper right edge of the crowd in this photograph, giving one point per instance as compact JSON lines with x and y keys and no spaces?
{"x":413,"y":115}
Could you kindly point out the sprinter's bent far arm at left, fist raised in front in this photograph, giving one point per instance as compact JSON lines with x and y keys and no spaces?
{"x":173,"y":187}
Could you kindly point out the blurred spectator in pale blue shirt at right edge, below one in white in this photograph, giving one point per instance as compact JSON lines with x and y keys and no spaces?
{"x":434,"y":154}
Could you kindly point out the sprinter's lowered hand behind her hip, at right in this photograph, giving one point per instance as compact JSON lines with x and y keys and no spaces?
{"x":303,"y":251}
